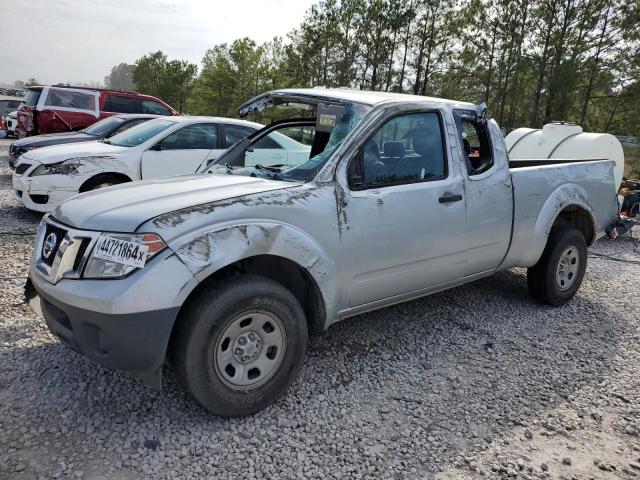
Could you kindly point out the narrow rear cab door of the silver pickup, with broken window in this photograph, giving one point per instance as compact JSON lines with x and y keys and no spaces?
{"x":488,"y":189}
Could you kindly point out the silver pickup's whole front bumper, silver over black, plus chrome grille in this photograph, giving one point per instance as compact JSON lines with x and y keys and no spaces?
{"x":124,"y":324}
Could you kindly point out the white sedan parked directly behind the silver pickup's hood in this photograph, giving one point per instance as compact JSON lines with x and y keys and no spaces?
{"x":162,"y":147}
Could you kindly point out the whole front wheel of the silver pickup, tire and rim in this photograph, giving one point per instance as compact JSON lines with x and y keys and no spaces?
{"x":240,"y":344}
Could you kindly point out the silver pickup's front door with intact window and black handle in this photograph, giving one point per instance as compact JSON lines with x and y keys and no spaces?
{"x":402,"y":210}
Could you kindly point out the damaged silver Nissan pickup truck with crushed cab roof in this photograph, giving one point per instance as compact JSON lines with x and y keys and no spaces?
{"x":226,"y":274}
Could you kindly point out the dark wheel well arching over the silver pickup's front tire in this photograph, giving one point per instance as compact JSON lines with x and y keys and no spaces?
{"x":284,"y":271}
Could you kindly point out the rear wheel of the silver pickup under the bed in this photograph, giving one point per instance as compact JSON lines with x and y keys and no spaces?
{"x":543,"y":279}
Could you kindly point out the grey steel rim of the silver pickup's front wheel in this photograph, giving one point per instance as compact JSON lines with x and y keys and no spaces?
{"x":250,"y":350}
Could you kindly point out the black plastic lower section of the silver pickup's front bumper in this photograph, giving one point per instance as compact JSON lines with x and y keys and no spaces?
{"x":134,"y":342}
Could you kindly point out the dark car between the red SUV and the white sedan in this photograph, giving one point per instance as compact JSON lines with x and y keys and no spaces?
{"x":104,"y":128}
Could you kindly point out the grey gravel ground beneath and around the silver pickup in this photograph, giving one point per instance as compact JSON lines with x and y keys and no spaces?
{"x":477,"y":382}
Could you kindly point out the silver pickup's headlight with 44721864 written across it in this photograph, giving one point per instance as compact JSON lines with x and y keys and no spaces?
{"x":115,"y":254}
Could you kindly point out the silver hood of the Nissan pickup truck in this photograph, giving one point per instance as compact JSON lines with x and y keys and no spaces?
{"x":122,"y":208}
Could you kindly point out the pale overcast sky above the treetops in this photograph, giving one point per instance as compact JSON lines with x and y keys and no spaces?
{"x":80,"y":40}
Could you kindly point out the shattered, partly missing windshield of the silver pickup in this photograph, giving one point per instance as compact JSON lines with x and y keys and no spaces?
{"x":297,"y":148}
